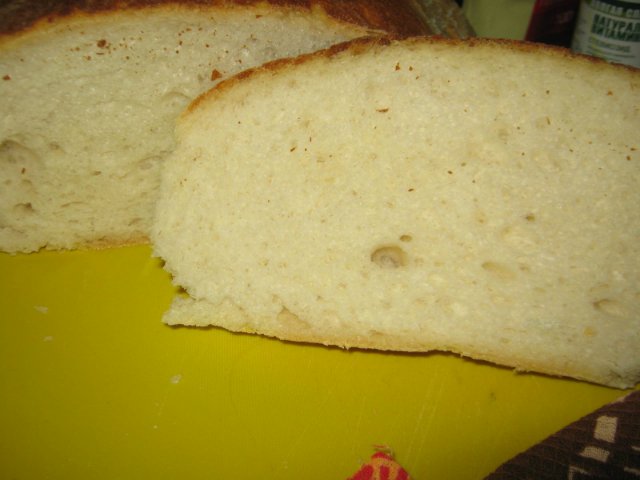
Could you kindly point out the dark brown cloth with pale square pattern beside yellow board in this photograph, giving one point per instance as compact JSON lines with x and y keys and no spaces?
{"x":602,"y":445}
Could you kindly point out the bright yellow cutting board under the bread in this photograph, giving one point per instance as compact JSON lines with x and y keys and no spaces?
{"x":94,"y":386}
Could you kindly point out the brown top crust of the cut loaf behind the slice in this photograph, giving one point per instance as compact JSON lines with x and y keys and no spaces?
{"x":397,"y":17}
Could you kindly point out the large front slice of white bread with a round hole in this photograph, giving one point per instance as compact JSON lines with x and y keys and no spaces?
{"x":477,"y":197}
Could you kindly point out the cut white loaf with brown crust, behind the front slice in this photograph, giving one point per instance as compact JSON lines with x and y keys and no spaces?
{"x":89,"y":92}
